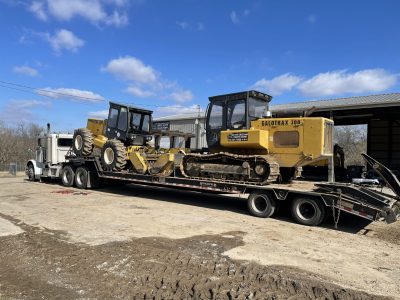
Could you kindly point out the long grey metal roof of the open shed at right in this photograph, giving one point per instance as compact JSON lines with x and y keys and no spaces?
{"x":382,"y":100}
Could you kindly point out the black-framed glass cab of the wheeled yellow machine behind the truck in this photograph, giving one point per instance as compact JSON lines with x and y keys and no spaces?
{"x":129,"y":124}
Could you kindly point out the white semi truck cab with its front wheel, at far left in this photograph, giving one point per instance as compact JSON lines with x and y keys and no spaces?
{"x":50,"y":155}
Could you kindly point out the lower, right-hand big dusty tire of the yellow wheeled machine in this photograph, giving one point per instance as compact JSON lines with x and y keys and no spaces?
{"x":113,"y":155}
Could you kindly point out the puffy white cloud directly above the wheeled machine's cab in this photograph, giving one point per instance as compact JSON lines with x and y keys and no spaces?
{"x":130,"y":68}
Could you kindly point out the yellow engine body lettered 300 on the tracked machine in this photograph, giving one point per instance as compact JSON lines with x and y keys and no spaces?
{"x":293,"y":142}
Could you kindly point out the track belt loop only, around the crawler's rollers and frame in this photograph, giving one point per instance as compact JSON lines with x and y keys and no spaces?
{"x":274,"y":166}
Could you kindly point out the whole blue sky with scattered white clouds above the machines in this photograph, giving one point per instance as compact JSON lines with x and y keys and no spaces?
{"x":62,"y":60}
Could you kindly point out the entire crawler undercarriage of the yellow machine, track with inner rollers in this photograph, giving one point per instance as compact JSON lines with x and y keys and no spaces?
{"x":256,"y":169}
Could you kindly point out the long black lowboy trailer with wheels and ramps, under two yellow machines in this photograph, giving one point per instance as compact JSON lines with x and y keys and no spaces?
{"x":309,"y":201}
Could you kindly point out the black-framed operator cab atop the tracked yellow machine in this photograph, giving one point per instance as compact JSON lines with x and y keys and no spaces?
{"x":233,"y":112}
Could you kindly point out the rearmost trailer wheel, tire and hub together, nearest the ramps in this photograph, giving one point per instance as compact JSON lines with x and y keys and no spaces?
{"x":308,"y":211}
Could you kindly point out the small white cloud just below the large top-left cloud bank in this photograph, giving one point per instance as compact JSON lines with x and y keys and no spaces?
{"x":64,"y":40}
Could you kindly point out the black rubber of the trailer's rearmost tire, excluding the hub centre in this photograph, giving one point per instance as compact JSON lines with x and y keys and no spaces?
{"x":315,"y":219}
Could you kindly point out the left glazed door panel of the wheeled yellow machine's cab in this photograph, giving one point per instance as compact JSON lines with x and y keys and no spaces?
{"x":117,"y":124}
